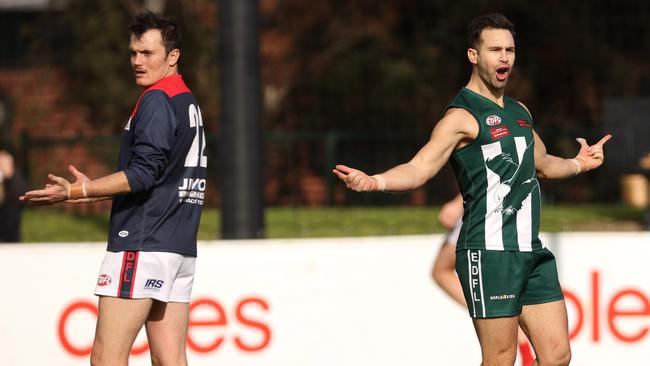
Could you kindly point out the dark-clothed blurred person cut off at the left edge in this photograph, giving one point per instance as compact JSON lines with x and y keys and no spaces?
{"x":12,"y":185}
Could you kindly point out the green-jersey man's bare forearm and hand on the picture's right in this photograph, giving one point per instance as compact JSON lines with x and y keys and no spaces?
{"x":552,"y":167}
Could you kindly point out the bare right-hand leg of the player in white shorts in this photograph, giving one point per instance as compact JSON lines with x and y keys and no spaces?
{"x":167,"y":332}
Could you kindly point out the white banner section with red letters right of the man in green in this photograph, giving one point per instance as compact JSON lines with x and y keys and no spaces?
{"x":606,"y":281}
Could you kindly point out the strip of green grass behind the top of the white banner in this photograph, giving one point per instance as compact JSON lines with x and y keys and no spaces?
{"x":51,"y":225}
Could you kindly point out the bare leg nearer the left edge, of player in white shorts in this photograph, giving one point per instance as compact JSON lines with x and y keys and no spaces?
{"x":118,"y":324}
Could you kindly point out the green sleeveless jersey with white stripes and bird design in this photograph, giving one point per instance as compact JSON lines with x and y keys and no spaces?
{"x":497,"y":178}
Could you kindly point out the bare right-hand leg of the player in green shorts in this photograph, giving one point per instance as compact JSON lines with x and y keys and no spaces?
{"x":546,"y":326}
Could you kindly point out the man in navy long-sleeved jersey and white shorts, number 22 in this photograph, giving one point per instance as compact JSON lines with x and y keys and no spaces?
{"x":158,"y":190}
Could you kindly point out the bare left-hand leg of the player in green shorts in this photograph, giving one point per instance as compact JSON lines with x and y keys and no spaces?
{"x":498,"y":338}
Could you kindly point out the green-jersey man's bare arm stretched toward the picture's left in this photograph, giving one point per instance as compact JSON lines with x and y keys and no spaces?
{"x":456,"y":127}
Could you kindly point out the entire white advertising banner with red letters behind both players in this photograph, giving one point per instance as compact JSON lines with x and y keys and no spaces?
{"x":317,"y":302}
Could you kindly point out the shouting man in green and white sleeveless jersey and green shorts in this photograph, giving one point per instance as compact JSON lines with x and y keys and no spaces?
{"x":507,"y":274}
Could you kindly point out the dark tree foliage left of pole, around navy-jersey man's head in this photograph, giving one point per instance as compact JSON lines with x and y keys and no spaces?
{"x":90,"y":41}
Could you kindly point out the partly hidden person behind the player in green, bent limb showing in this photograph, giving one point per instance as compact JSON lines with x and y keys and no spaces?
{"x":444,"y":266}
